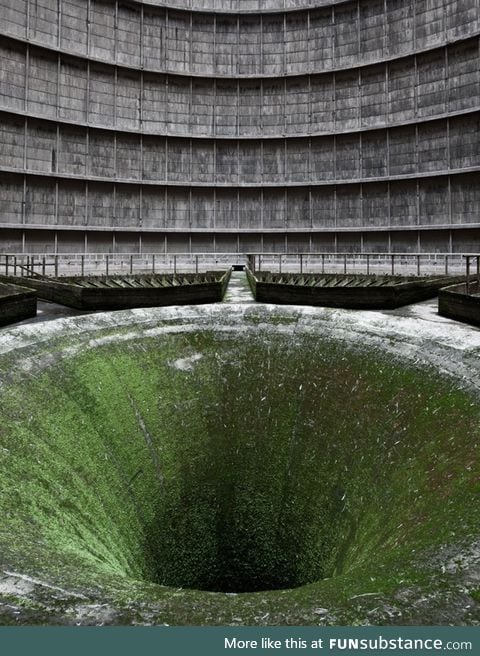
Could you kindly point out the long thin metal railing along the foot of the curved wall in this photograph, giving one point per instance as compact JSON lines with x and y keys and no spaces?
{"x":79,"y":264}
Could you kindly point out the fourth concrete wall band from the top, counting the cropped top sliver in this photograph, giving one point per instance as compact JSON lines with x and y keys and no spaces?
{"x":445,"y":146}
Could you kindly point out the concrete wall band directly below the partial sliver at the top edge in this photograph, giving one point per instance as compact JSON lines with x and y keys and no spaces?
{"x":136,"y":35}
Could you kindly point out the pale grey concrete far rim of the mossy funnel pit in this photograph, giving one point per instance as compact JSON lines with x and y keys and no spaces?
{"x":450,"y":347}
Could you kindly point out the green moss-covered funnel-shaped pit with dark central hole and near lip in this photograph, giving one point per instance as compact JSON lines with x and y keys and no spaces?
{"x":250,"y":473}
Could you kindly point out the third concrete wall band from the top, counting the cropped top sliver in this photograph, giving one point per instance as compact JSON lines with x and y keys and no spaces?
{"x":42,"y":83}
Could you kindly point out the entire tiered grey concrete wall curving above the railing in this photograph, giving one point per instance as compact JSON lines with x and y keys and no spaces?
{"x":239,"y":125}
